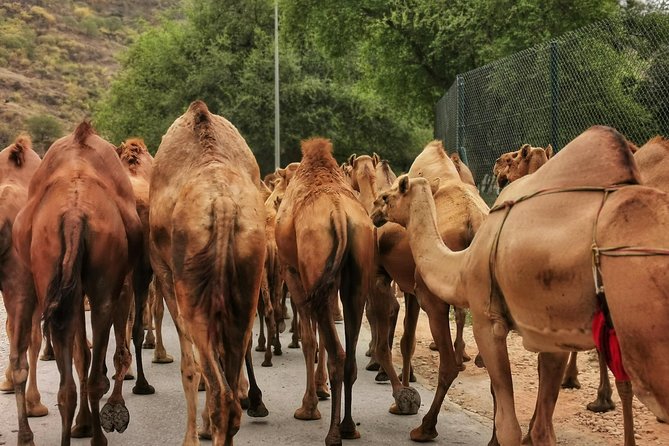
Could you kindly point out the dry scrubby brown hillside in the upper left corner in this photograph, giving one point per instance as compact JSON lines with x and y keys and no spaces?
{"x":58,"y":56}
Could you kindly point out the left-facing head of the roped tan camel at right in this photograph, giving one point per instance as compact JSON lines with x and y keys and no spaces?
{"x":394,"y":204}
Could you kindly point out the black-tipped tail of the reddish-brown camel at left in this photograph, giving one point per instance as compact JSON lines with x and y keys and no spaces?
{"x":64,"y":291}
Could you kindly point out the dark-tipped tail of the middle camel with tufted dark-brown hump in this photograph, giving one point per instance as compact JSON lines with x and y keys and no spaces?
{"x":318,"y":297}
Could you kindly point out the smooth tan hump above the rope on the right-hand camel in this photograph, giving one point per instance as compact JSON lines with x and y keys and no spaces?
{"x":598,"y":157}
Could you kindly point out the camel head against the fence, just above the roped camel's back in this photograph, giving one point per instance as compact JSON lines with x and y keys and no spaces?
{"x":524,"y":161}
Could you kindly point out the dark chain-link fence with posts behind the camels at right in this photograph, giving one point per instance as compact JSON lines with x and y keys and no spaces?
{"x":614,"y":72}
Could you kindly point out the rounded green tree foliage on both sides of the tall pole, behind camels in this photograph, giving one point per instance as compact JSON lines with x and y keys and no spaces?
{"x":223,"y":54}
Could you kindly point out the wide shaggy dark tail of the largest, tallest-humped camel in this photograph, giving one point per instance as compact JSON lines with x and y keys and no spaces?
{"x":212,"y":270}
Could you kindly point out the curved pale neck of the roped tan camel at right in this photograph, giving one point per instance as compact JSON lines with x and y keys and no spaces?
{"x":438,"y":266}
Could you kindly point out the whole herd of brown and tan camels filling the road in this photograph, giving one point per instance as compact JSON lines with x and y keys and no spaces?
{"x":573,"y":255}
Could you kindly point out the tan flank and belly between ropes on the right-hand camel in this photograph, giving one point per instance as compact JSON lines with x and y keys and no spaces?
{"x":543,"y":268}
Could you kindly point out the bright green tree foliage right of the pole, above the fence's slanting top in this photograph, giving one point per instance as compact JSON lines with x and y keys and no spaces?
{"x":410,"y":51}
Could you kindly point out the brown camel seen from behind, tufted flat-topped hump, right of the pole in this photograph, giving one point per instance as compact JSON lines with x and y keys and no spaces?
{"x":326,"y":240}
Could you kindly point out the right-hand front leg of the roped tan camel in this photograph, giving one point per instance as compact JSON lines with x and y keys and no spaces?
{"x":551,"y":369}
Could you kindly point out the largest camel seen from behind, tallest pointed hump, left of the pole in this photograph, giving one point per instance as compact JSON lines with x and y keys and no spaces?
{"x":207,"y":246}
